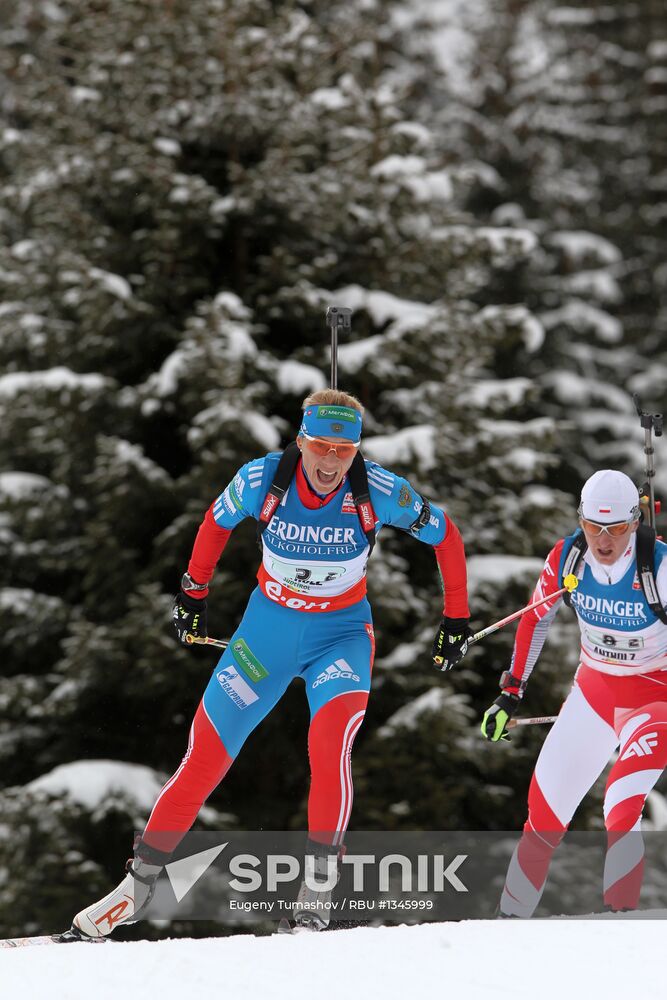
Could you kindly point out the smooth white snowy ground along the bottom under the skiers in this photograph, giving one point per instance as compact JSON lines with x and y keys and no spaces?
{"x":471,"y":960}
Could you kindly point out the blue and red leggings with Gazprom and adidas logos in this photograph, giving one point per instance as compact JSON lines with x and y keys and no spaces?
{"x":332,"y":652}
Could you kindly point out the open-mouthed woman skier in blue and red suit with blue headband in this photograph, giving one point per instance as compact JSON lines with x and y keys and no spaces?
{"x":308,"y":617}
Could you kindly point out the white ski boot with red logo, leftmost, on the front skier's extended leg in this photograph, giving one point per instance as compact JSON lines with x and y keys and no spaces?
{"x":124,"y":903}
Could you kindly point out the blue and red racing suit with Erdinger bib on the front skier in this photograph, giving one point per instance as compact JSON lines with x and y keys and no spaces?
{"x":308,"y":618}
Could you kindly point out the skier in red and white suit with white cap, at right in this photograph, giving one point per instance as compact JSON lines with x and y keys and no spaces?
{"x":618,"y":700}
